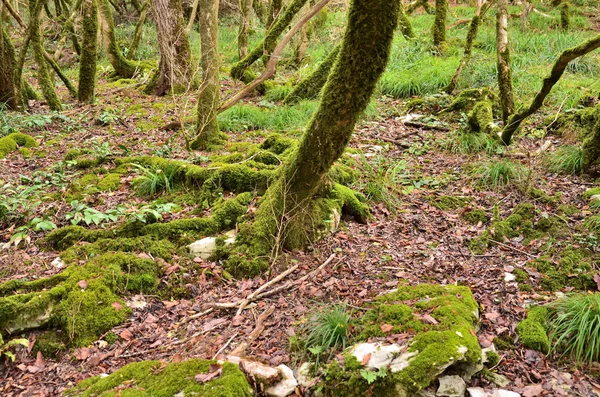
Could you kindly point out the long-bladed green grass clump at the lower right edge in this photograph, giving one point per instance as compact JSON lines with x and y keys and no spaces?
{"x":575,"y":327}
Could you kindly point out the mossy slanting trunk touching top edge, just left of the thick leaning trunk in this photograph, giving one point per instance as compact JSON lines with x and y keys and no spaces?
{"x":268,"y":43}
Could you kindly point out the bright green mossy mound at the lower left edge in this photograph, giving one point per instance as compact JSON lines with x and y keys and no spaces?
{"x":84,"y":301}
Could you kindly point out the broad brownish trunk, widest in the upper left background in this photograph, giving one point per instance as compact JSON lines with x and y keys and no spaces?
{"x":174,"y":71}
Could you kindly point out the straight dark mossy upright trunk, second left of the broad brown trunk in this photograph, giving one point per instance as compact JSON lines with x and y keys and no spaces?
{"x":89,"y":52}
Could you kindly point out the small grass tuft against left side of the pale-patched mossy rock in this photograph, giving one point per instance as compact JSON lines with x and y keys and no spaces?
{"x":328,"y":329}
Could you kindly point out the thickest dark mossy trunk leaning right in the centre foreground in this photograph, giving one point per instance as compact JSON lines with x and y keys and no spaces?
{"x":292,"y":200}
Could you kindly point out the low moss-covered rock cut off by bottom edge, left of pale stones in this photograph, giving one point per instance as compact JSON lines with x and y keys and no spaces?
{"x":154,"y":379}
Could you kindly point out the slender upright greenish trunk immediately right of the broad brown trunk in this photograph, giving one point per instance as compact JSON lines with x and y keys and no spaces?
{"x":207,"y":128}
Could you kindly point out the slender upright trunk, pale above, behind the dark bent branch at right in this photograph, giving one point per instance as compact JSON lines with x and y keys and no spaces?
{"x":504,"y":72}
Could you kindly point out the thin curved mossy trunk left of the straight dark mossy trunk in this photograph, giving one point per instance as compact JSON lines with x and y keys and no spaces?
{"x":43,"y":74}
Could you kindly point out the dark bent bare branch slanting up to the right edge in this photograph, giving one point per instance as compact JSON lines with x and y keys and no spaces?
{"x":555,"y":74}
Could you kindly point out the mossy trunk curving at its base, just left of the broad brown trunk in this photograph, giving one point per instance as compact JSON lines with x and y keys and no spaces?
{"x":122,"y":66}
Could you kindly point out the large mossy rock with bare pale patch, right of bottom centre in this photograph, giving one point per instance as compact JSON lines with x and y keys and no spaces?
{"x":449,"y":344}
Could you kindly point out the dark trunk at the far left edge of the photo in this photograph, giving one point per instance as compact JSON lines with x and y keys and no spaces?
{"x":8,"y":88}
